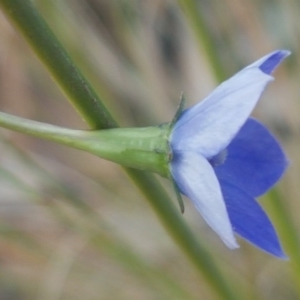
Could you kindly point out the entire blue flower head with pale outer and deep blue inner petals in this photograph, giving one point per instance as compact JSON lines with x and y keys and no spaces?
{"x":222,"y":159}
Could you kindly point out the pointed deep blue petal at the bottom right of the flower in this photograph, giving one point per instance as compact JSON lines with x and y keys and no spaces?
{"x":250,"y":221}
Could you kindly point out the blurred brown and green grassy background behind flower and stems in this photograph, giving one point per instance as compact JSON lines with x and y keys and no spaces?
{"x":73,"y":226}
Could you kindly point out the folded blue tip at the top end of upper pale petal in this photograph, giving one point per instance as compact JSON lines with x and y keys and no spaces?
{"x":268,"y":63}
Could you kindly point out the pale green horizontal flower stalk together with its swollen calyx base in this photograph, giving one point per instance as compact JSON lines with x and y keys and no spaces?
{"x":145,"y":149}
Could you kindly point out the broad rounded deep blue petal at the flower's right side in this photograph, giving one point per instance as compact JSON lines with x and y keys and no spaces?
{"x":255,"y":160}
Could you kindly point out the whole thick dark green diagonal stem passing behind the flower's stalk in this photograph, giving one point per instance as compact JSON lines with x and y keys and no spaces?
{"x":33,"y":27}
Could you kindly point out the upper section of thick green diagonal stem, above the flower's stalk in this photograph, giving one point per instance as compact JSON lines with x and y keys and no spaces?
{"x":58,"y":62}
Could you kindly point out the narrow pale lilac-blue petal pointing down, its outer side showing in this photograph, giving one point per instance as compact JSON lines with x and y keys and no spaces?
{"x":196,"y":179}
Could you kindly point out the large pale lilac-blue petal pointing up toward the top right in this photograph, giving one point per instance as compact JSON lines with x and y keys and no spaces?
{"x":209,"y":126}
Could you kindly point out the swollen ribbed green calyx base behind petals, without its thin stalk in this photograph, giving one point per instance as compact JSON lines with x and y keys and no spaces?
{"x":140,"y":148}
